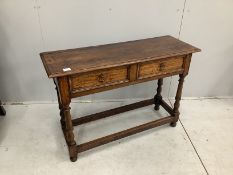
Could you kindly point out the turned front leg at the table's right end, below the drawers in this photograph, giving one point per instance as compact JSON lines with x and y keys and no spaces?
{"x":176,"y":112}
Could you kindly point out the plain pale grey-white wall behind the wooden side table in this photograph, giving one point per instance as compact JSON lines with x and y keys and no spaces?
{"x":28,"y":27}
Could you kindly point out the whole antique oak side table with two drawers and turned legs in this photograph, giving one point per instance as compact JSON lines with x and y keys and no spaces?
{"x":83,"y":71}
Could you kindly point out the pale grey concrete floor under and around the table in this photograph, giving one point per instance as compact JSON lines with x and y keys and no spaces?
{"x":31,"y":141}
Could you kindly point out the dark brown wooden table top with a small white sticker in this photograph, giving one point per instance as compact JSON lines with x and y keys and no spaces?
{"x":72,"y":61}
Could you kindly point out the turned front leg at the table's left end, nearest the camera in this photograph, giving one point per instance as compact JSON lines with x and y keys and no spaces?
{"x":65,"y":107}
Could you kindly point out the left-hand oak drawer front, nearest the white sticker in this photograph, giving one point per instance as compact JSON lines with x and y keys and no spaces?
{"x":97,"y":79}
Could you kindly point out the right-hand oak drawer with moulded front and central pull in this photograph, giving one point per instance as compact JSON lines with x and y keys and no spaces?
{"x":153,"y":68}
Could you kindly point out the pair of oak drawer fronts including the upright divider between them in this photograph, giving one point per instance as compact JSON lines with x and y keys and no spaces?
{"x":120,"y":75}
